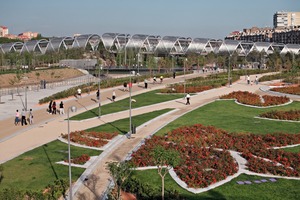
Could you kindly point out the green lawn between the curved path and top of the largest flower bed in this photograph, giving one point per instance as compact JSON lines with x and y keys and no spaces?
{"x":227,"y":115}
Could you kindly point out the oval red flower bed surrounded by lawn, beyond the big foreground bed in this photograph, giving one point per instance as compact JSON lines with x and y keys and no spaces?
{"x":249,"y":98}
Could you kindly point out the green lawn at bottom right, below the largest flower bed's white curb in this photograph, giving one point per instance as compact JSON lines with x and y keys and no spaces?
{"x":282,"y":189}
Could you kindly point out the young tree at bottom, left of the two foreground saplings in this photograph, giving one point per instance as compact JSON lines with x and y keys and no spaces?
{"x":120,"y":171}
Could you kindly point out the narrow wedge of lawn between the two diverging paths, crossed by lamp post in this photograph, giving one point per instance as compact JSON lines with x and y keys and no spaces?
{"x":122,"y":126}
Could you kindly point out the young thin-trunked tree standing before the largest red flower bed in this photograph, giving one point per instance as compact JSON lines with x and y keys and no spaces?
{"x":164,"y":159}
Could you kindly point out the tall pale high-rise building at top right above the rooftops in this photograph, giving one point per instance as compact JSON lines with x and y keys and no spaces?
{"x":286,"y":19}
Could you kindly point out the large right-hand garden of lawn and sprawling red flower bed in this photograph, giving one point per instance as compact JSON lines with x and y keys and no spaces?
{"x":203,"y":163}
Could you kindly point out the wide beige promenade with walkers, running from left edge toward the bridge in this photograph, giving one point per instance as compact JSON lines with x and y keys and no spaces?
{"x":43,"y":121}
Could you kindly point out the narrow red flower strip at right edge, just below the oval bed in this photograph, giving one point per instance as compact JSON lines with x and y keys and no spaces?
{"x":293,"y":115}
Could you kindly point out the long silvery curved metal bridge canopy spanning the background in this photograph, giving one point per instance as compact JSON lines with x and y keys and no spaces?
{"x":172,"y":45}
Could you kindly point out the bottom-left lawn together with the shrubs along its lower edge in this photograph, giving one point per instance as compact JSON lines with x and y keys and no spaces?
{"x":36,"y":172}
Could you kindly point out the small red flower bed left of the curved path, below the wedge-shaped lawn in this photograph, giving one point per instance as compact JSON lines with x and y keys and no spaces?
{"x":92,"y":139}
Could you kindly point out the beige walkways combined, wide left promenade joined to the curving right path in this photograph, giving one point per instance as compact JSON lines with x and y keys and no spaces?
{"x":98,"y":177}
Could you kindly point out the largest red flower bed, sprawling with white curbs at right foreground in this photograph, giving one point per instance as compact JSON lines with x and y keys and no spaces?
{"x":203,"y":163}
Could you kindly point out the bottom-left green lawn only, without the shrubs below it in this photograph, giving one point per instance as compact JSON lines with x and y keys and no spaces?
{"x":35,"y":169}
